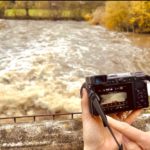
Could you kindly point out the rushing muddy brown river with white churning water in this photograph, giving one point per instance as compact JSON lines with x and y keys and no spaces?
{"x":44,"y":63}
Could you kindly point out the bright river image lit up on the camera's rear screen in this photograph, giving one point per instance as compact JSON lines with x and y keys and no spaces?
{"x":113,"y":97}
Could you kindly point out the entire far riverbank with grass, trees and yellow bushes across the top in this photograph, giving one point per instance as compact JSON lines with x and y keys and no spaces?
{"x":121,"y":16}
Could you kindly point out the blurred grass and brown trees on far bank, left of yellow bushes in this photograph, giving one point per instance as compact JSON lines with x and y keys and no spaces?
{"x":76,"y":10}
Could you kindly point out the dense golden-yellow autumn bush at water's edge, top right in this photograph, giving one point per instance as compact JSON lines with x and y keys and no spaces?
{"x":128,"y":16}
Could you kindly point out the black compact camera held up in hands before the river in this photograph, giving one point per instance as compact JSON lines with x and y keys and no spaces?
{"x":118,"y":92}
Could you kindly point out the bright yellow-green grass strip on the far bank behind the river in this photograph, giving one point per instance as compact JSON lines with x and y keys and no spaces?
{"x":76,"y":14}
